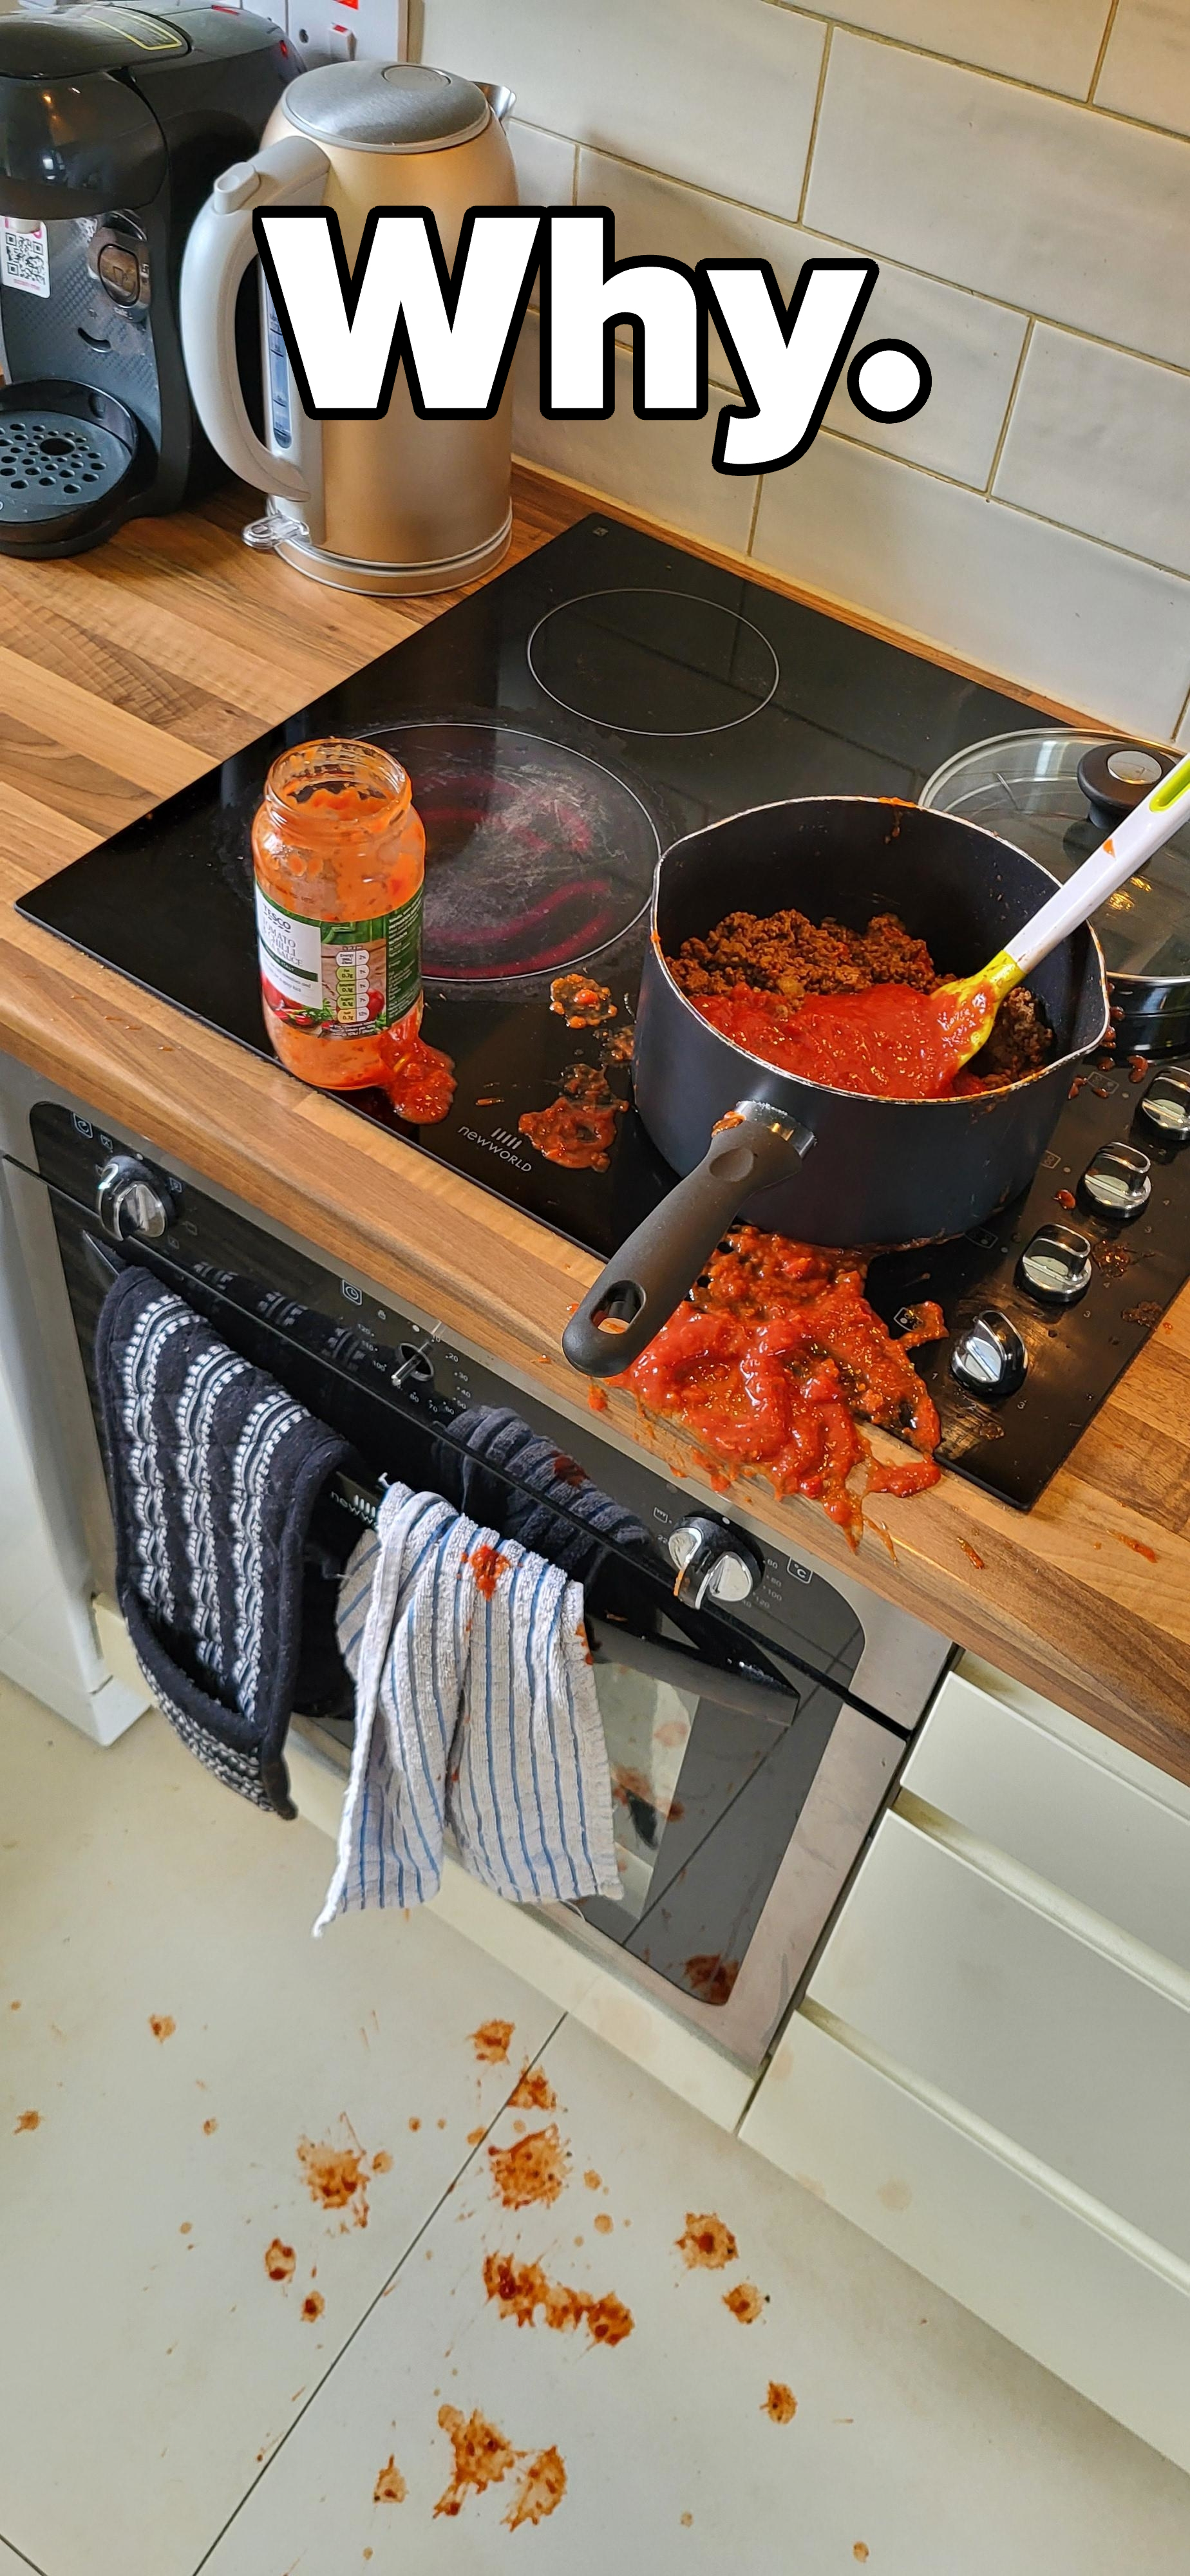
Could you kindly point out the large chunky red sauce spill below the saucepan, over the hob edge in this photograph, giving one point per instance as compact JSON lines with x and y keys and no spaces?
{"x":771,"y":1361}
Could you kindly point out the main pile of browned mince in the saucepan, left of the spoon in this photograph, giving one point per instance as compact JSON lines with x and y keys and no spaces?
{"x":795,"y":957}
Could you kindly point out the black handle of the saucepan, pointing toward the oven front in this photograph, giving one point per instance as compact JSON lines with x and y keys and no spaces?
{"x":658,"y":1266}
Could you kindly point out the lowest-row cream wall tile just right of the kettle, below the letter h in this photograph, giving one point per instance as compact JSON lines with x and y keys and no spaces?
{"x":661,"y":468}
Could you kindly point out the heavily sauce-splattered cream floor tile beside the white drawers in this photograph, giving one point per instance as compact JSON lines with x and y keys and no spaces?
{"x":921,"y":2441}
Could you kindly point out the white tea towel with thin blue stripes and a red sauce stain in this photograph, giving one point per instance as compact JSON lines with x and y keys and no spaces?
{"x":475,"y":1712}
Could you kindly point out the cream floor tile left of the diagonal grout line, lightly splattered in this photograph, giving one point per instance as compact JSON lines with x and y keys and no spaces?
{"x":148,"y":2361}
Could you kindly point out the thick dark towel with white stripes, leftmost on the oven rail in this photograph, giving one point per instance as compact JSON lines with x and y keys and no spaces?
{"x":215,"y":1475}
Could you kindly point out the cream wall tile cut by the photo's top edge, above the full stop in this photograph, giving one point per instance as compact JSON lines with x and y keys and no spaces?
{"x":1050,"y":43}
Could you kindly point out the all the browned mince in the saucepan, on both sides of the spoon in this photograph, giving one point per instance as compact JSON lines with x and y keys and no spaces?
{"x":789,"y":954}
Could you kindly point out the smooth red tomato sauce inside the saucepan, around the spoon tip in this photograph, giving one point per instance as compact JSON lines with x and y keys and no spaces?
{"x":887,"y":1042}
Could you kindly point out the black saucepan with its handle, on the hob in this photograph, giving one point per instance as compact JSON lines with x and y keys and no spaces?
{"x":797,"y":1158}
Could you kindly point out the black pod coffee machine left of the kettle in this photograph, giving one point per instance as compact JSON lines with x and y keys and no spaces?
{"x":115,"y":125}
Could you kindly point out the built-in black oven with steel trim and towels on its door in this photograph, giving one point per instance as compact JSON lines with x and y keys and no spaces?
{"x":759,"y":1707}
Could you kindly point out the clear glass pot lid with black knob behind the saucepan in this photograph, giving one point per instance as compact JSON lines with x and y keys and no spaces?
{"x":1026,"y":790}
